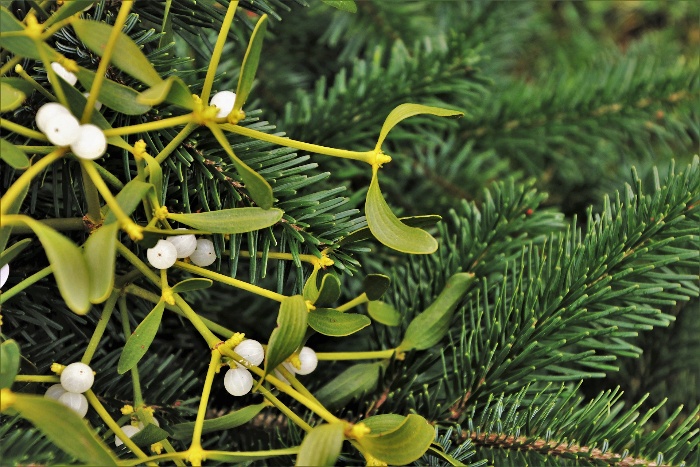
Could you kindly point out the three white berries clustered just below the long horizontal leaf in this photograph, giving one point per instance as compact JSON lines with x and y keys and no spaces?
{"x":164,"y":254}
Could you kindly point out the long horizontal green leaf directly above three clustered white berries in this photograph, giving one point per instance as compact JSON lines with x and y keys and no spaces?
{"x":235,"y":220}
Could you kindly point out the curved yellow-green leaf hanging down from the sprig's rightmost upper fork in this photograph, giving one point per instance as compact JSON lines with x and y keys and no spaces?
{"x":389,"y":230}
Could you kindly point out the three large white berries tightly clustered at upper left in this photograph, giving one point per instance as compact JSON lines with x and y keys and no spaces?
{"x":63,"y":129}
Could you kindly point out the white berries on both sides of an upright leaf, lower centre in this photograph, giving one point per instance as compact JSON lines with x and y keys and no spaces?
{"x":238,"y":381}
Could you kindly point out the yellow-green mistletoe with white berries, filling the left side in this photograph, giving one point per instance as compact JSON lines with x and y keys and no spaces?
{"x":85,"y":275}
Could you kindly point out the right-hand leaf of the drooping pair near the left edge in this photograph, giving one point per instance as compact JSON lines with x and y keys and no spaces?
{"x":100,"y":253}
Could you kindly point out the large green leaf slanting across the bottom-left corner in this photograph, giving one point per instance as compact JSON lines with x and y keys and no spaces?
{"x":64,"y":428}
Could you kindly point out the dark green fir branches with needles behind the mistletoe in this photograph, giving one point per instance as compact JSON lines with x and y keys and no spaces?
{"x":578,"y":343}
